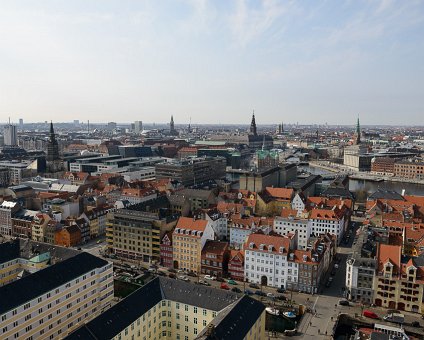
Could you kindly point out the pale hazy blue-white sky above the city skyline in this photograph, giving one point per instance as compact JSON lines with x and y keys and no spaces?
{"x":214,"y":61}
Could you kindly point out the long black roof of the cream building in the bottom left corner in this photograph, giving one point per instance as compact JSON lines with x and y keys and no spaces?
{"x":30,"y":287}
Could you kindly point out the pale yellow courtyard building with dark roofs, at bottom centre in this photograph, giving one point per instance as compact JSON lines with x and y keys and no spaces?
{"x":176,"y":310}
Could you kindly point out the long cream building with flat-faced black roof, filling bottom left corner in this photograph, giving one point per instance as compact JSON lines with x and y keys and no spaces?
{"x":54,"y":301}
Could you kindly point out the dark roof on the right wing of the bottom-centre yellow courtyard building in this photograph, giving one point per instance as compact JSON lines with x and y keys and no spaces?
{"x":235,"y":322}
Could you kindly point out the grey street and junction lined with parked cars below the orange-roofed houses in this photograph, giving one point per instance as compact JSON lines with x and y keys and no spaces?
{"x":325,"y":306}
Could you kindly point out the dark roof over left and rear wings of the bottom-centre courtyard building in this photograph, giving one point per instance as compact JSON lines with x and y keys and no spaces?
{"x":117,"y":318}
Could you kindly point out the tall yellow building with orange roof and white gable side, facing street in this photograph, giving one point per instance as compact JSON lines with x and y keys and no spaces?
{"x":188,"y":238}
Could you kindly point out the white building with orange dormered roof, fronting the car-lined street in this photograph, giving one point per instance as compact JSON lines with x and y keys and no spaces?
{"x":267,"y":261}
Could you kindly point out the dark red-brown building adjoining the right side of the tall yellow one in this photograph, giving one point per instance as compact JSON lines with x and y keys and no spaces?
{"x":215,"y":257}
